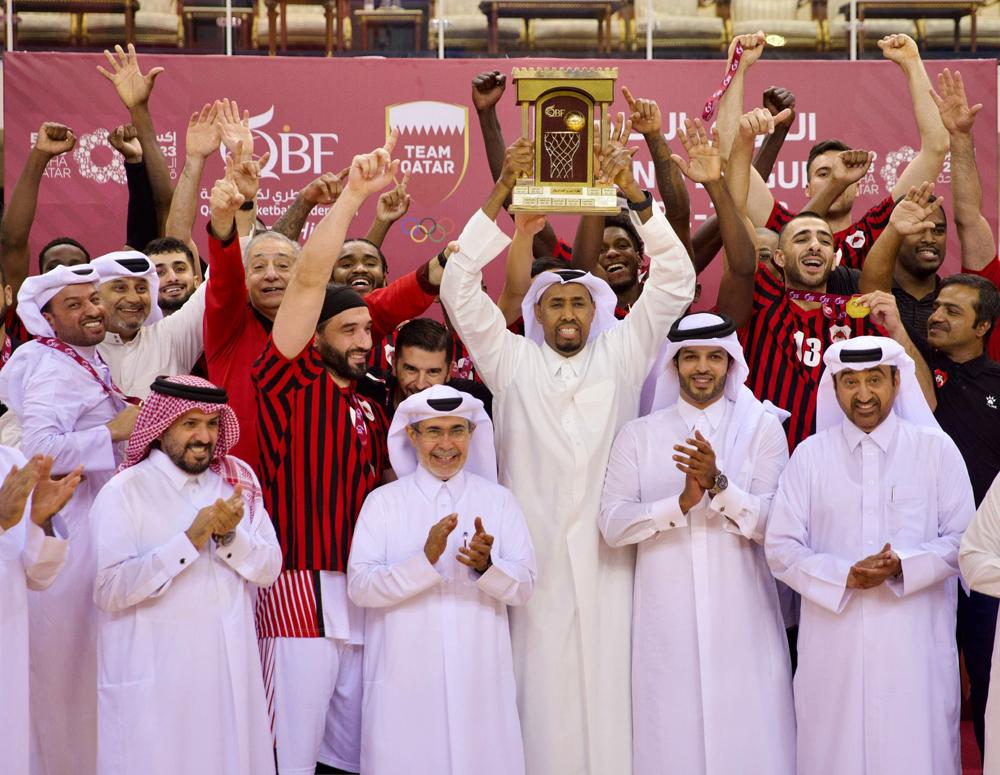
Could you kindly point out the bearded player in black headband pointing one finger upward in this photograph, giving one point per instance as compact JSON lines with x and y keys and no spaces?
{"x":322,"y":445}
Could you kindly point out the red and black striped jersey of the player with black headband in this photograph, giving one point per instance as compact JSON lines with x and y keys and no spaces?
{"x":322,"y":450}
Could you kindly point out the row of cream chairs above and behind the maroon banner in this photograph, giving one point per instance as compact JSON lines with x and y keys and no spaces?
{"x":707,"y":25}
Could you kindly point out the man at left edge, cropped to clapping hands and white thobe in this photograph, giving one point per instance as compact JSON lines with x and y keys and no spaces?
{"x":32,"y":552}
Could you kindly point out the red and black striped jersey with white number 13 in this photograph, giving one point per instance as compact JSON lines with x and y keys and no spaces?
{"x":784,"y":346}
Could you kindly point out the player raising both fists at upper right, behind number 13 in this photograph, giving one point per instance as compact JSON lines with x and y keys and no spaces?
{"x":832,"y":195}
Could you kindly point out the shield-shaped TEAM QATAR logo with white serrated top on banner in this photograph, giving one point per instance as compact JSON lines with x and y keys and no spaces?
{"x":433,"y":147}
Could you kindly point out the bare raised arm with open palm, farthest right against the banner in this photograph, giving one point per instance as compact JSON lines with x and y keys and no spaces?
{"x":974,"y":232}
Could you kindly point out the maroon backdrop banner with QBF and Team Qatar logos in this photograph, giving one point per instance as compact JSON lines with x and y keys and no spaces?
{"x":313,"y":114}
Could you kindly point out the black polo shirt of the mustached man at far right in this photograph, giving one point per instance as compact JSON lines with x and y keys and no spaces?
{"x":968,"y":410}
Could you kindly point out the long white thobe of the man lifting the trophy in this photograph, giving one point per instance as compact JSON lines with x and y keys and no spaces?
{"x":555,"y":420}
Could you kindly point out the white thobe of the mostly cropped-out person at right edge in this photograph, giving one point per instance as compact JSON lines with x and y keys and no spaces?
{"x":979,"y":559}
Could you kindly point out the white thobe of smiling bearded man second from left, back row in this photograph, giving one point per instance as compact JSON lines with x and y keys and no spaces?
{"x":166,"y":348}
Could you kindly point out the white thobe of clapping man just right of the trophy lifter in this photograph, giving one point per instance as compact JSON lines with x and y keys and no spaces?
{"x":711,"y":676}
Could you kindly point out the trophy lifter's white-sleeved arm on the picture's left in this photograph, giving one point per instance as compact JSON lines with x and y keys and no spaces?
{"x":477,"y":320}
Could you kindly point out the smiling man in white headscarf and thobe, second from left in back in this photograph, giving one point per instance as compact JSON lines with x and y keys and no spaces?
{"x":142,"y":344}
